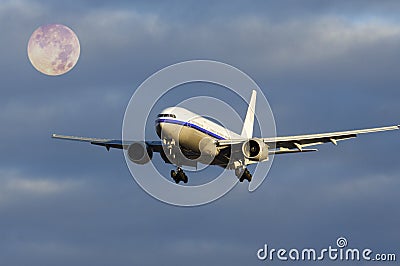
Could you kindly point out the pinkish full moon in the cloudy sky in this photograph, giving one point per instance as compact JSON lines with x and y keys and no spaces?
{"x":53,"y":49}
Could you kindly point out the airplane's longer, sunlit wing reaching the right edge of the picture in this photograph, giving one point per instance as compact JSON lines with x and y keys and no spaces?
{"x":290,"y":144}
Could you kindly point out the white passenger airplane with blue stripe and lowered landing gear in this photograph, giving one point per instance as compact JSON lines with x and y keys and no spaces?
{"x":187,"y":138}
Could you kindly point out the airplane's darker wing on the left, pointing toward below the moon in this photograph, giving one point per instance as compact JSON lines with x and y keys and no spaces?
{"x":156,"y":146}
